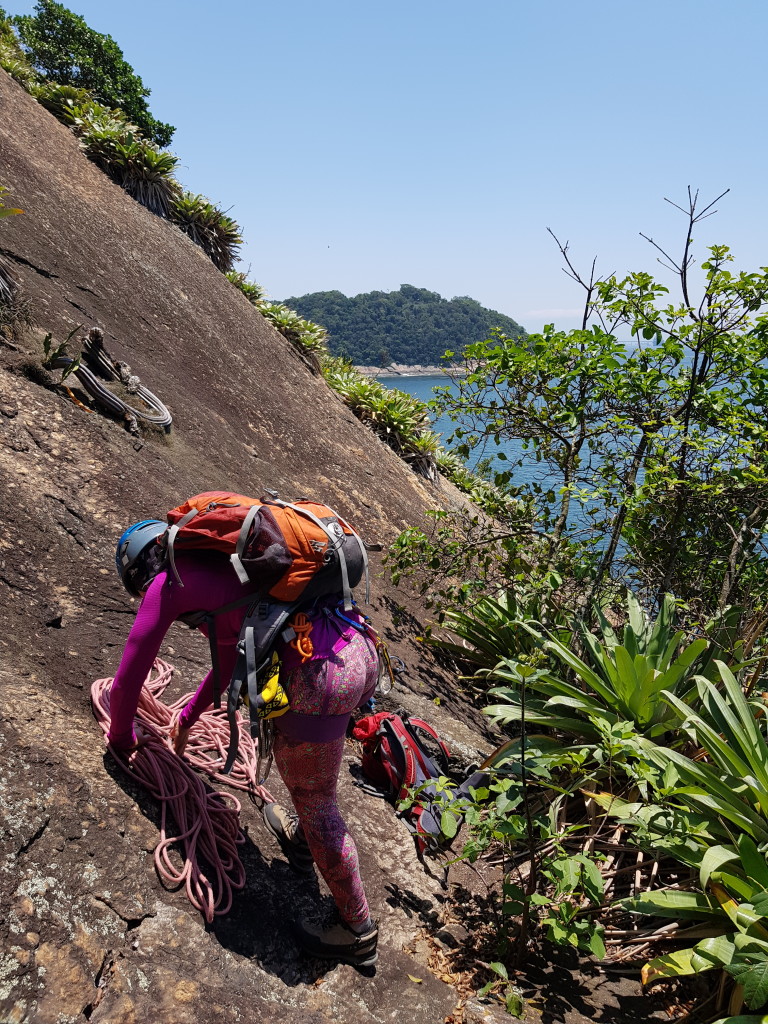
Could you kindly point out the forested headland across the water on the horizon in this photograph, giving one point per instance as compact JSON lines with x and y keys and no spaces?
{"x":411,"y":326}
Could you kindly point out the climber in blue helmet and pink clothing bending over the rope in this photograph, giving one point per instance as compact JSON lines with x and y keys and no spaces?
{"x":339,"y":676}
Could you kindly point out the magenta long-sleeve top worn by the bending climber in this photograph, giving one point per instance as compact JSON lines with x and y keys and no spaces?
{"x":209,"y":583}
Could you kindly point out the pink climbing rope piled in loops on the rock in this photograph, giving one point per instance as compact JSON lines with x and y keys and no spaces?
{"x":208,"y":822}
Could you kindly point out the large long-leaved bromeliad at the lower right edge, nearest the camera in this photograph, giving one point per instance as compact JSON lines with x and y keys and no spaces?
{"x":713,"y":816}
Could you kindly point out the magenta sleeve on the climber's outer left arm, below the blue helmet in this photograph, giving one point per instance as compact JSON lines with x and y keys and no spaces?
{"x":153,"y":621}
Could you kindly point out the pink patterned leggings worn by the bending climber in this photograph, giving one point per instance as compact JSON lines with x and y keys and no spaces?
{"x":312,"y":771}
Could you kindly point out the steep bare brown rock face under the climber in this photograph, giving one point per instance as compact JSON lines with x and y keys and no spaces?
{"x":88,"y":931}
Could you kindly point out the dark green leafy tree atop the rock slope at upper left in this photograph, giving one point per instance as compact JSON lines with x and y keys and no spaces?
{"x":62,"y":47}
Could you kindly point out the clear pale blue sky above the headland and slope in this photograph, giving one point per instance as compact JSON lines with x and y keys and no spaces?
{"x":362,"y":146}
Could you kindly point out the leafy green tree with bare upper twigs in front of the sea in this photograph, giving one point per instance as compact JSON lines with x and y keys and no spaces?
{"x":648,"y":461}
